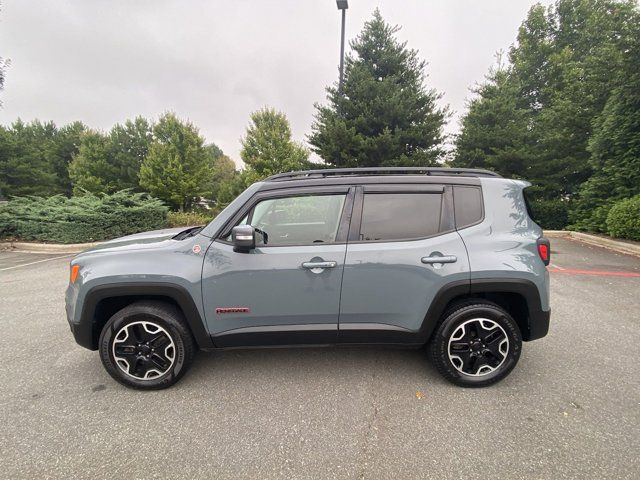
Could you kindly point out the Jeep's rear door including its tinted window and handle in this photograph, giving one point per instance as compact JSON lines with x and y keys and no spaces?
{"x":403,"y":248}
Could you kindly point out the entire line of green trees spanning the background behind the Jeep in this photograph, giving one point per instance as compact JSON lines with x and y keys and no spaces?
{"x":561,"y":109}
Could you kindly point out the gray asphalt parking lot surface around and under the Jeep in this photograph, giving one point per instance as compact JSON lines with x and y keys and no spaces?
{"x":571,"y":408}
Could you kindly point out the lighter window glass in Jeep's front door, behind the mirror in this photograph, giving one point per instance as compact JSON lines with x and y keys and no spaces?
{"x":302,"y":220}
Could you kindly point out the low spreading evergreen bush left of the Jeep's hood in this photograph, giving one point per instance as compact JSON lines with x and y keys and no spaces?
{"x":85,"y":218}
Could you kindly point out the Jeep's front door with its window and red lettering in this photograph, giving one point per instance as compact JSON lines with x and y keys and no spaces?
{"x":286,"y":290}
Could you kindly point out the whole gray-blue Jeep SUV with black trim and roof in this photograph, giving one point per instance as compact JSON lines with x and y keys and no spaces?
{"x":449,"y":258}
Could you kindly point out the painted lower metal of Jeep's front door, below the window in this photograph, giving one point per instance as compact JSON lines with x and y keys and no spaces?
{"x":272,"y":287}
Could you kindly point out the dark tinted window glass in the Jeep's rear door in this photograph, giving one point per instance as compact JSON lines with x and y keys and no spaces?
{"x":400,"y":216}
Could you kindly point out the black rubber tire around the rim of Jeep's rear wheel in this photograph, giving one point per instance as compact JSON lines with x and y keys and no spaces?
{"x":453,"y":321}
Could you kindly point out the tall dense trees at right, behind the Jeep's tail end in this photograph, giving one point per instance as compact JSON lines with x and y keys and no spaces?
{"x":563,"y":111}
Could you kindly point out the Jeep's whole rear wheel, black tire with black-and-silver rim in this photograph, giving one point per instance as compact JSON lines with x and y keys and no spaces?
{"x":476,"y":345}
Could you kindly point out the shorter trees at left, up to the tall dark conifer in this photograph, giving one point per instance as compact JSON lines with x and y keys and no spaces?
{"x":167,"y":158}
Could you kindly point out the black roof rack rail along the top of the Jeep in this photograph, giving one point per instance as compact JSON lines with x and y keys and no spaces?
{"x":337,"y":172}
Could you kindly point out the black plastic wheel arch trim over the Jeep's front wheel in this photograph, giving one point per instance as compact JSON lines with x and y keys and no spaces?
{"x":102,"y":301}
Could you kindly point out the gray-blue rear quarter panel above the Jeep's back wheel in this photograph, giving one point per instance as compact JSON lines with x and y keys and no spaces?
{"x":503,"y":245}
